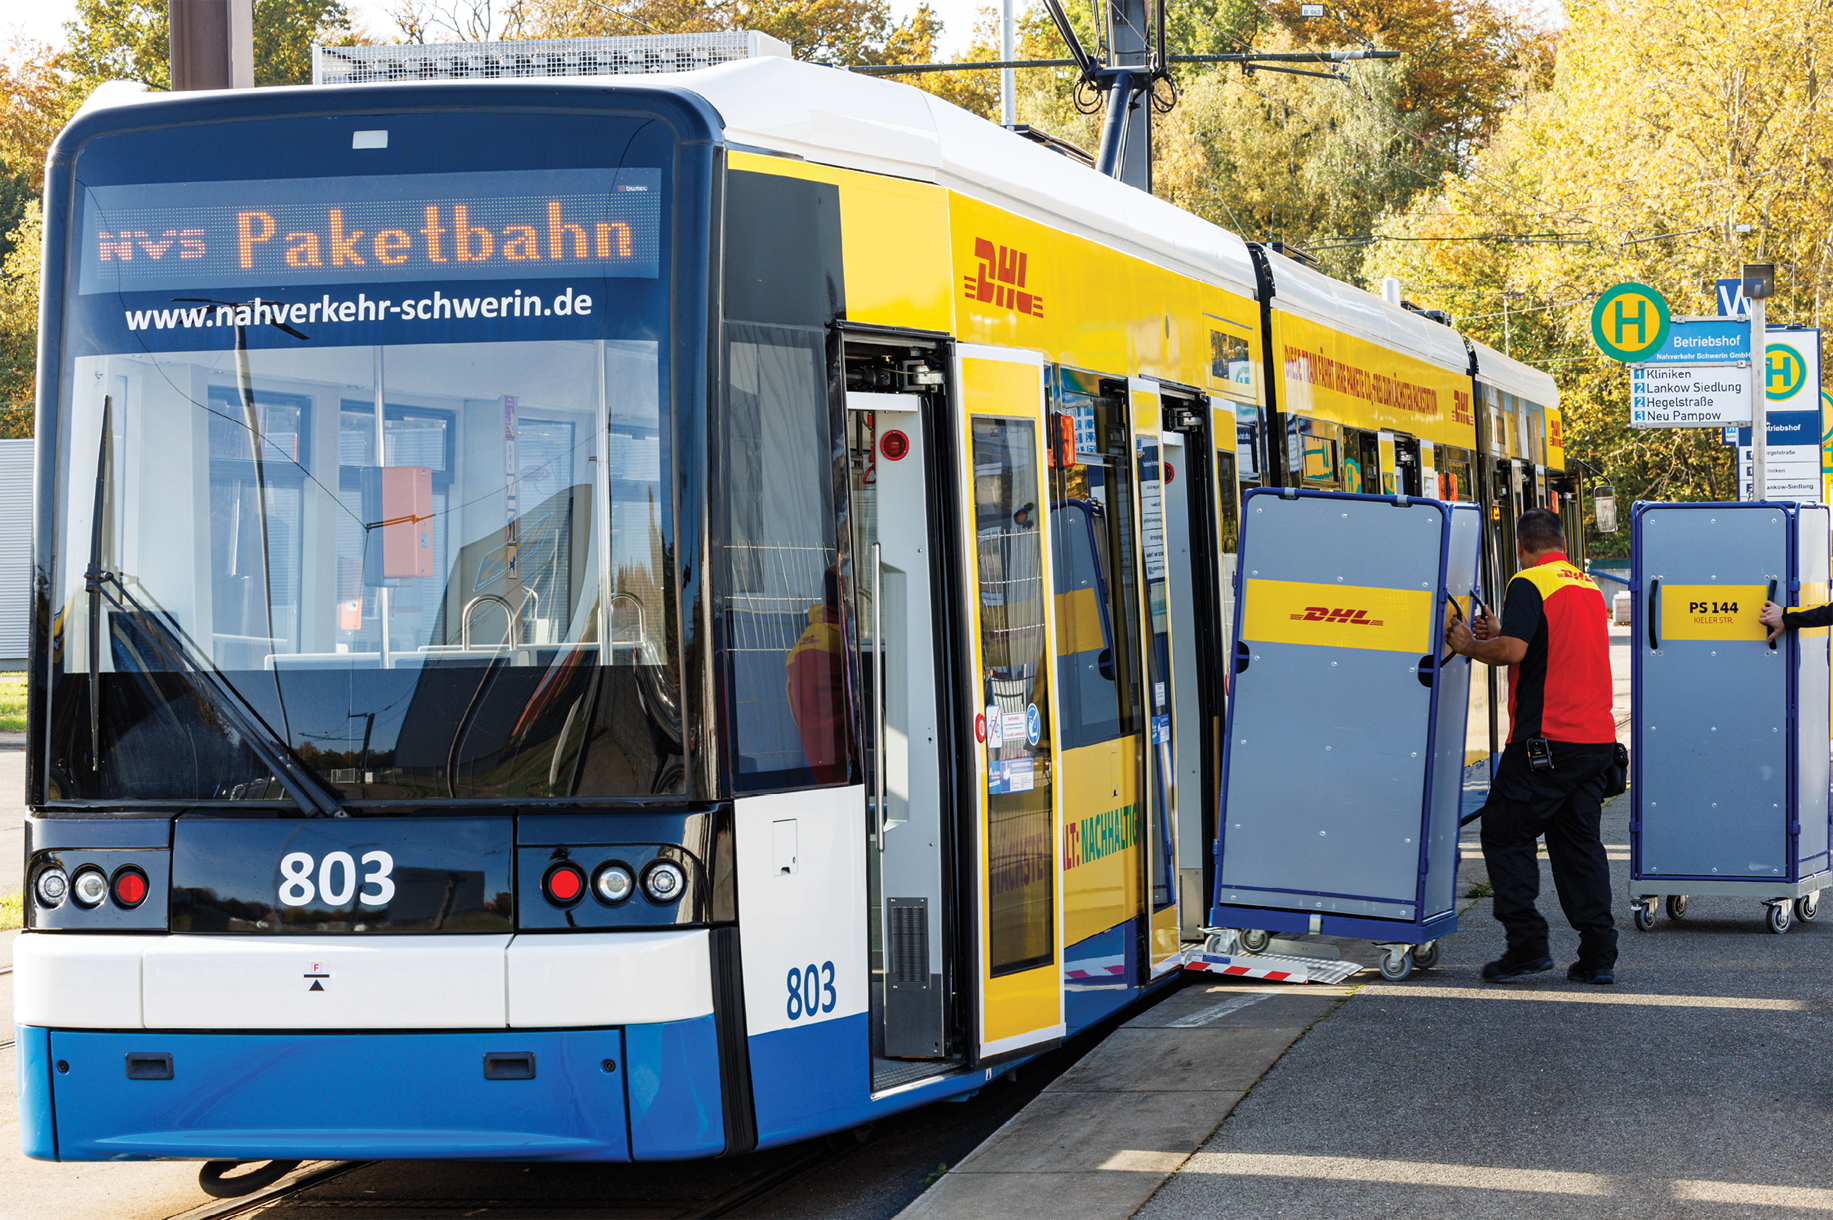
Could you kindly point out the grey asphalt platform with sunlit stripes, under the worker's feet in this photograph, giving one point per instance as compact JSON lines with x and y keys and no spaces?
{"x":1696,"y":1087}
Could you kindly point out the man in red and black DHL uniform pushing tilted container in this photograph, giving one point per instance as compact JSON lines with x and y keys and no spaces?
{"x":1563,"y":739}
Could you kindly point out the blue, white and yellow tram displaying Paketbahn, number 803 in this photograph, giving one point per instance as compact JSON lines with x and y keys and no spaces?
{"x":593,"y":618}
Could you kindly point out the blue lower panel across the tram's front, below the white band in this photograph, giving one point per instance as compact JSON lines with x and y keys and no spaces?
{"x":362,"y":1096}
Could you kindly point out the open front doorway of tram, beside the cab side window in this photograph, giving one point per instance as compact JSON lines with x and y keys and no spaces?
{"x":894,"y":406}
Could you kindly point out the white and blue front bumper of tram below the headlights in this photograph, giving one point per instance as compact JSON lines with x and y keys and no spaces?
{"x":109,"y":1087}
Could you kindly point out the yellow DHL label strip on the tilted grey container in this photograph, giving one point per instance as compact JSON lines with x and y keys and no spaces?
{"x":1337,"y":616}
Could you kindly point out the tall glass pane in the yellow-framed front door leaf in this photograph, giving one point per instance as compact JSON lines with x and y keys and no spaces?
{"x":1015,"y":673}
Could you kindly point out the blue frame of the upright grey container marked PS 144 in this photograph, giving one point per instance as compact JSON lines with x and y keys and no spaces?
{"x":1759,"y":888}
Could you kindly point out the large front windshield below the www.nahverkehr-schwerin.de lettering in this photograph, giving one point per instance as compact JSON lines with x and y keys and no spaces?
{"x":368,"y":668}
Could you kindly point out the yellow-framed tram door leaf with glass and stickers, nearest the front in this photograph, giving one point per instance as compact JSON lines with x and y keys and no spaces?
{"x":1009,"y":651}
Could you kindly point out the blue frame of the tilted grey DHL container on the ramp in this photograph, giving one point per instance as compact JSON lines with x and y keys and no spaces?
{"x":1420,"y":930}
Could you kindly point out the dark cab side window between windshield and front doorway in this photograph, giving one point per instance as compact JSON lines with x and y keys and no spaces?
{"x":782,"y":605}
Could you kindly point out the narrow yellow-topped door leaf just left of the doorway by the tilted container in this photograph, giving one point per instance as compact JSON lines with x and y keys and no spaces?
{"x":1161,"y":757}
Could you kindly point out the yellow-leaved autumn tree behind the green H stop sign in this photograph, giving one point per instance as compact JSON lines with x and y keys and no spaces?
{"x":1663,"y":131}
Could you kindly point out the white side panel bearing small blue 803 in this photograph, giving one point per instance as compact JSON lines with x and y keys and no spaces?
{"x":809,"y":917}
